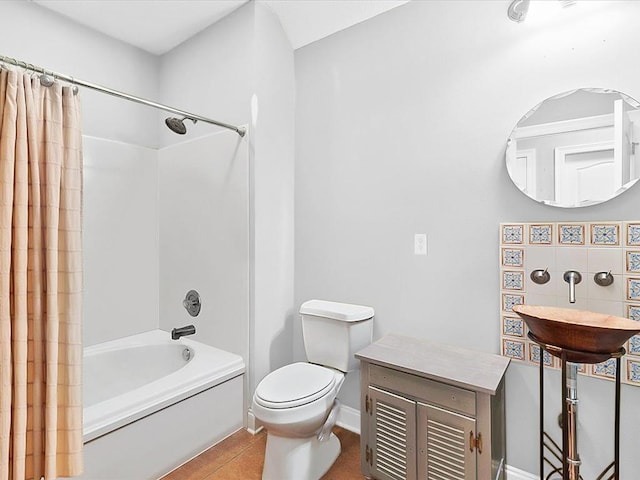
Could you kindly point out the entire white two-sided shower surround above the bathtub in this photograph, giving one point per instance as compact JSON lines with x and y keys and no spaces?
{"x":158,"y":223}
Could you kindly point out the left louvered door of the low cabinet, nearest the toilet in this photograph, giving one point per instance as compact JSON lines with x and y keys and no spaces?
{"x":392,"y":436}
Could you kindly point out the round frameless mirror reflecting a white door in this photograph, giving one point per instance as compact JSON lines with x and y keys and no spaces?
{"x":577,"y":148}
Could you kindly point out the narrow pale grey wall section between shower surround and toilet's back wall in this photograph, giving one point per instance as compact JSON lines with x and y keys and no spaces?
{"x":272,"y":182}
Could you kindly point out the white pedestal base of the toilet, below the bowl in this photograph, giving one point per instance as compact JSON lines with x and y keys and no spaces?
{"x":299,"y":458}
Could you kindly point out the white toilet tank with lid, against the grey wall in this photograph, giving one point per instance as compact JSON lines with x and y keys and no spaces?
{"x":333,"y":332}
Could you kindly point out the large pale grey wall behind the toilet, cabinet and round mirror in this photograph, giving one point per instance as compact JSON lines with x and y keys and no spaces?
{"x":401,"y":123}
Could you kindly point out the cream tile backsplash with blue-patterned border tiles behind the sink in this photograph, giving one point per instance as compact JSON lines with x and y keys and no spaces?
{"x":586,"y":247}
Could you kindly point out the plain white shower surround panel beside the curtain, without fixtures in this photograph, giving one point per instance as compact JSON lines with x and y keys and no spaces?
{"x":120,"y":238}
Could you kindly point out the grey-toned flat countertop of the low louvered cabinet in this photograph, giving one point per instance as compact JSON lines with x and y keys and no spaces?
{"x":470,"y":369}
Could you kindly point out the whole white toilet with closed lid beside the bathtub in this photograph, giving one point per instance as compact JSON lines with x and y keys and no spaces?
{"x":297,"y":403}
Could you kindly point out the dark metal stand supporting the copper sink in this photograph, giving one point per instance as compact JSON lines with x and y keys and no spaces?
{"x":568,"y":455}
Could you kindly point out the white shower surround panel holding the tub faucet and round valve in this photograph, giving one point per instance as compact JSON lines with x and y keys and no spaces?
{"x":203,"y":188}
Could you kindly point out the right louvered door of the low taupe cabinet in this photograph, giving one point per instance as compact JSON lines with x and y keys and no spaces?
{"x":446,"y":444}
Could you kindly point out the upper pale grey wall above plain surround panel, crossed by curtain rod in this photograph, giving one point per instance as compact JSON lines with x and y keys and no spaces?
{"x":36,"y":35}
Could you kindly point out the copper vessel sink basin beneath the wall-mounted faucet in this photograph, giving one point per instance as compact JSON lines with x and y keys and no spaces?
{"x":577,"y":330}
